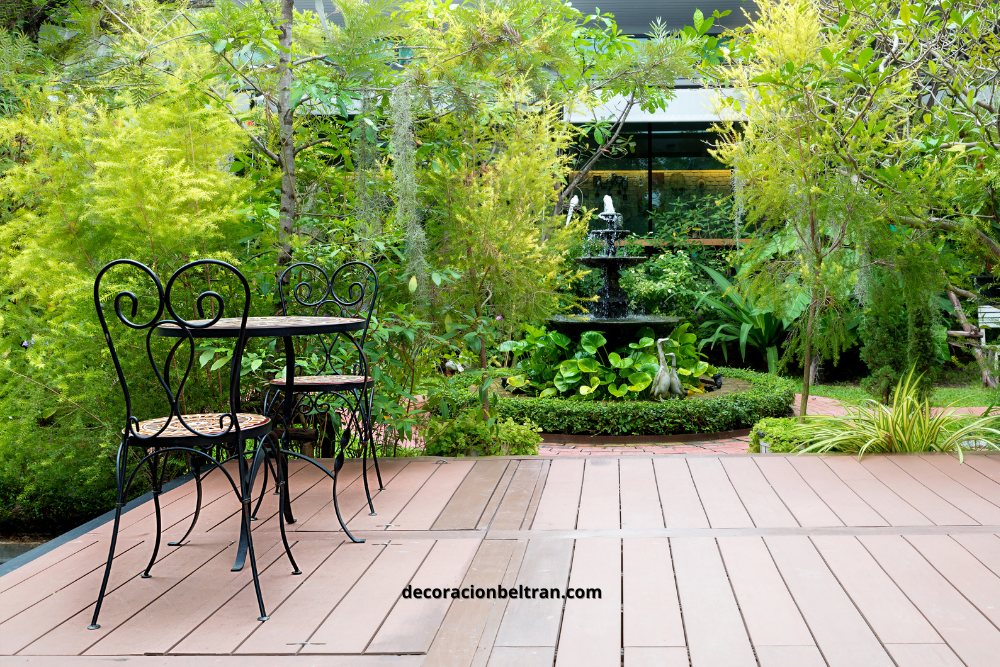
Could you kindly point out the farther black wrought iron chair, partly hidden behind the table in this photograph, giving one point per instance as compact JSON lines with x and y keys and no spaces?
{"x":334,"y":380}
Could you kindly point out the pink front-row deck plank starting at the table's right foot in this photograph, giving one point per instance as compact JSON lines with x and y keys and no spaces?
{"x":302,"y":612}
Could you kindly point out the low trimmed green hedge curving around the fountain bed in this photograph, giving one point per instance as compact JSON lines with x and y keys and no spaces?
{"x":769,"y":396}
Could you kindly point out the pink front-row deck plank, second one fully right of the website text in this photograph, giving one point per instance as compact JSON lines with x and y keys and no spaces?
{"x":716,"y":634}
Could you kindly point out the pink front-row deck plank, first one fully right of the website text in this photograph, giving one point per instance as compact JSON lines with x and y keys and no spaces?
{"x":651,"y":613}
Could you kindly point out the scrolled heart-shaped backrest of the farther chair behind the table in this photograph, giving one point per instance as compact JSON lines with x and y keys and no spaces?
{"x":351,"y":290}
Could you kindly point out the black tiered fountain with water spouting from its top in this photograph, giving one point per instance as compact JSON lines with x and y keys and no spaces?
{"x":611,"y":314}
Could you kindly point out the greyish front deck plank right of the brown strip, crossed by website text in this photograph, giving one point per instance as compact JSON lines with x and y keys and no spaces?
{"x":535,"y":622}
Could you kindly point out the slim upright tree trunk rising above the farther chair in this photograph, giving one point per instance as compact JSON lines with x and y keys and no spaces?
{"x":286,"y":132}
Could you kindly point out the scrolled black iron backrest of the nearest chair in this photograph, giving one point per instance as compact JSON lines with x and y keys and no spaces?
{"x":167,"y":305}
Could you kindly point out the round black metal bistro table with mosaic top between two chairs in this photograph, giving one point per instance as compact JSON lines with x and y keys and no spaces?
{"x":270,"y":327}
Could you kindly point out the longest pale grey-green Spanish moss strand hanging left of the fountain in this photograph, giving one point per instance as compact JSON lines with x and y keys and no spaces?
{"x":404,"y":178}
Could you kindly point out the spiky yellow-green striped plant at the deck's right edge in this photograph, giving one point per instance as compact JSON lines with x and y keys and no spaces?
{"x":905,"y":426}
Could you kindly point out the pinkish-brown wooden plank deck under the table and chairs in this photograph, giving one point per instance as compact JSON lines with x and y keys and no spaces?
{"x":706,"y":561}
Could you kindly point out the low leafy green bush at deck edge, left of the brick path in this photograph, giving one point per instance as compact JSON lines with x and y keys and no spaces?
{"x":469,"y":435}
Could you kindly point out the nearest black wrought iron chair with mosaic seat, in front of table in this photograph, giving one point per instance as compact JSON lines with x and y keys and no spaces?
{"x":200,"y":436}
